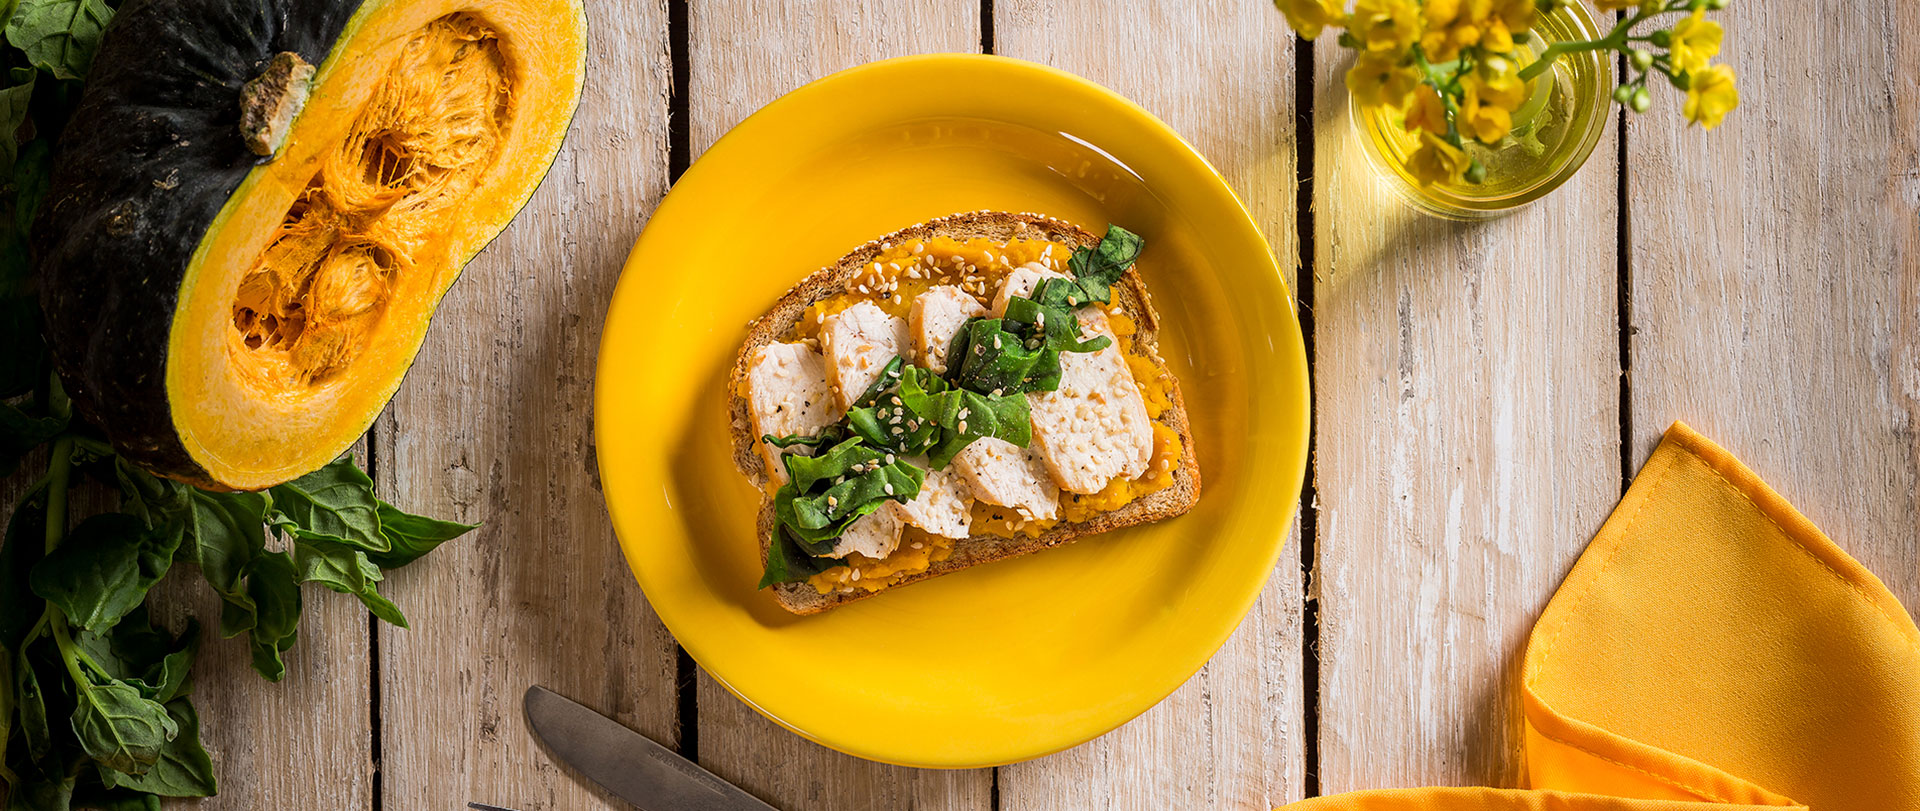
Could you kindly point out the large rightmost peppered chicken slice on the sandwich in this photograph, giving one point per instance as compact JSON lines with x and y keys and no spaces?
{"x":1093,"y":430}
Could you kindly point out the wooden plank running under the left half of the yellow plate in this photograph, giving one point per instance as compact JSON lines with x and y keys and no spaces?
{"x":744,"y":55}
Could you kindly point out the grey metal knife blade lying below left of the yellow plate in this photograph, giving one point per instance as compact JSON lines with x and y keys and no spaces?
{"x":629,"y":764}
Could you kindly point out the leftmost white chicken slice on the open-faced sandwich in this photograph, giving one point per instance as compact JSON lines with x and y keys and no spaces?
{"x":788,"y":395}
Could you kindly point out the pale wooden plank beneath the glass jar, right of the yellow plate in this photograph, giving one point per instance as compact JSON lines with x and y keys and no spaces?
{"x":1468,"y":449}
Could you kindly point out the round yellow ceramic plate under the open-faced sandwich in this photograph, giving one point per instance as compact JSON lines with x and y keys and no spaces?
{"x":1009,"y":660}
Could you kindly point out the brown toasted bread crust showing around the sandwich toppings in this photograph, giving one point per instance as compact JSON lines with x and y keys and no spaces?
{"x":982,"y":549}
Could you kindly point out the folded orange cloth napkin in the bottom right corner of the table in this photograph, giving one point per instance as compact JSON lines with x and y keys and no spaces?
{"x":1710,"y":651}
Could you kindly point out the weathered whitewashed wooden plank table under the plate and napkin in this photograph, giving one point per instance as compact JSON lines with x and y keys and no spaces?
{"x":1483,"y":397}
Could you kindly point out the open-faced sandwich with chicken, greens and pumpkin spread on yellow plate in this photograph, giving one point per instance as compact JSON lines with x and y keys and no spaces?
{"x":971,"y":389}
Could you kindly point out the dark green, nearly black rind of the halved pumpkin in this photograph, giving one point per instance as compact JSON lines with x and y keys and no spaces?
{"x":143,"y":170}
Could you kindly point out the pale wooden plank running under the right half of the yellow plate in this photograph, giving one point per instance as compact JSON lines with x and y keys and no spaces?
{"x":1222,"y":76}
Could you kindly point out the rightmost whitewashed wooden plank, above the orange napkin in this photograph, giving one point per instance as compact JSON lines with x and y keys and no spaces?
{"x":1777,"y":272}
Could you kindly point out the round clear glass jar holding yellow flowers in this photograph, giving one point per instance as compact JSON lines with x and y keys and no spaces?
{"x":1554,"y":132}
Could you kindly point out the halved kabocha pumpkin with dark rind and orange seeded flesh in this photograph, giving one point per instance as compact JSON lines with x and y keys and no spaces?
{"x":260,"y":203}
